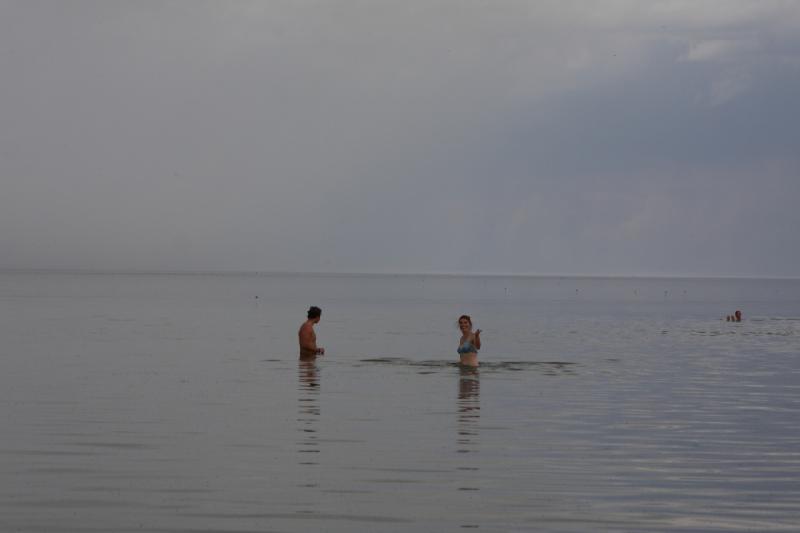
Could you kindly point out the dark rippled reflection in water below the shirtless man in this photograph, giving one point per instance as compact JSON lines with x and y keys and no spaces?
{"x":308,"y":411}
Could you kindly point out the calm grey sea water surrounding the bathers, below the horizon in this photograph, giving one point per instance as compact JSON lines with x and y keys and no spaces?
{"x":176,"y":403}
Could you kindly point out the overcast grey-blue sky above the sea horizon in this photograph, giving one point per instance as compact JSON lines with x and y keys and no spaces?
{"x":597,"y":137}
